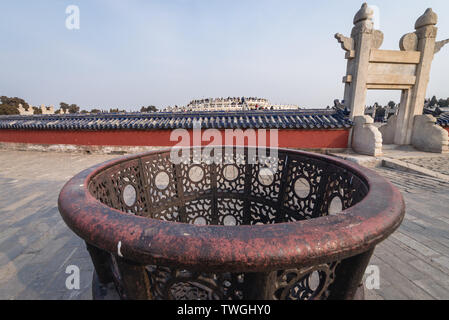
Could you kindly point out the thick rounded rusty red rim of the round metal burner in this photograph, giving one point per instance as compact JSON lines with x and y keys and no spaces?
{"x":244,"y":248}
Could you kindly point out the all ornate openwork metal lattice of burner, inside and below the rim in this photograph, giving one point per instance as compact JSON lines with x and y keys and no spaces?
{"x":241,"y":189}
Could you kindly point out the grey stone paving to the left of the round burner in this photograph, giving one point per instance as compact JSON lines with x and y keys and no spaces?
{"x":35,"y":244}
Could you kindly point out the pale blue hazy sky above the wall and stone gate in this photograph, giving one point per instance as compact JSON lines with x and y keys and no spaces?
{"x":134,"y":52}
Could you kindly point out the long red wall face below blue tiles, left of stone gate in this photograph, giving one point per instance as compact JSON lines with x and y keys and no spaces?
{"x":308,"y":139}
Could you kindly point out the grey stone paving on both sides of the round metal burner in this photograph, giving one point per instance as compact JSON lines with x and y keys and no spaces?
{"x":36,"y":246}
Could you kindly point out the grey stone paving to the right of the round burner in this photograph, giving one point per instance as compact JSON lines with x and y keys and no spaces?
{"x":414,"y":261}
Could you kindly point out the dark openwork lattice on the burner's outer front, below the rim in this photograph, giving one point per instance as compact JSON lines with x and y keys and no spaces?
{"x":310,"y":283}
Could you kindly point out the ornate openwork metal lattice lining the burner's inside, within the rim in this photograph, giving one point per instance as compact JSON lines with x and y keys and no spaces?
{"x":242,"y":188}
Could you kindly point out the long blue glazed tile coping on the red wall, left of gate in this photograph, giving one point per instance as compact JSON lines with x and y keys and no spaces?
{"x":272,"y":119}
